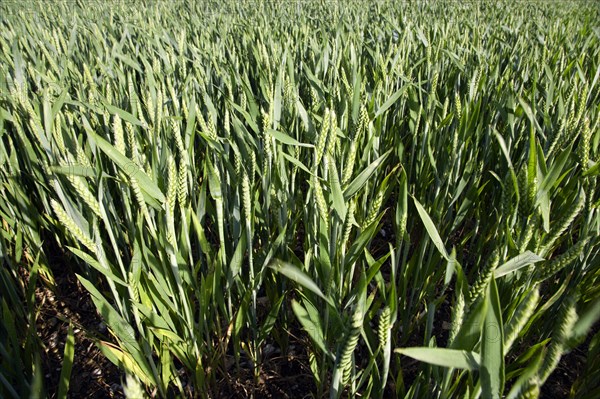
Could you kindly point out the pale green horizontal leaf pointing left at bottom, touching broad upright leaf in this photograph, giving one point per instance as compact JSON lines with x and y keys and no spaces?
{"x":443,"y":357}
